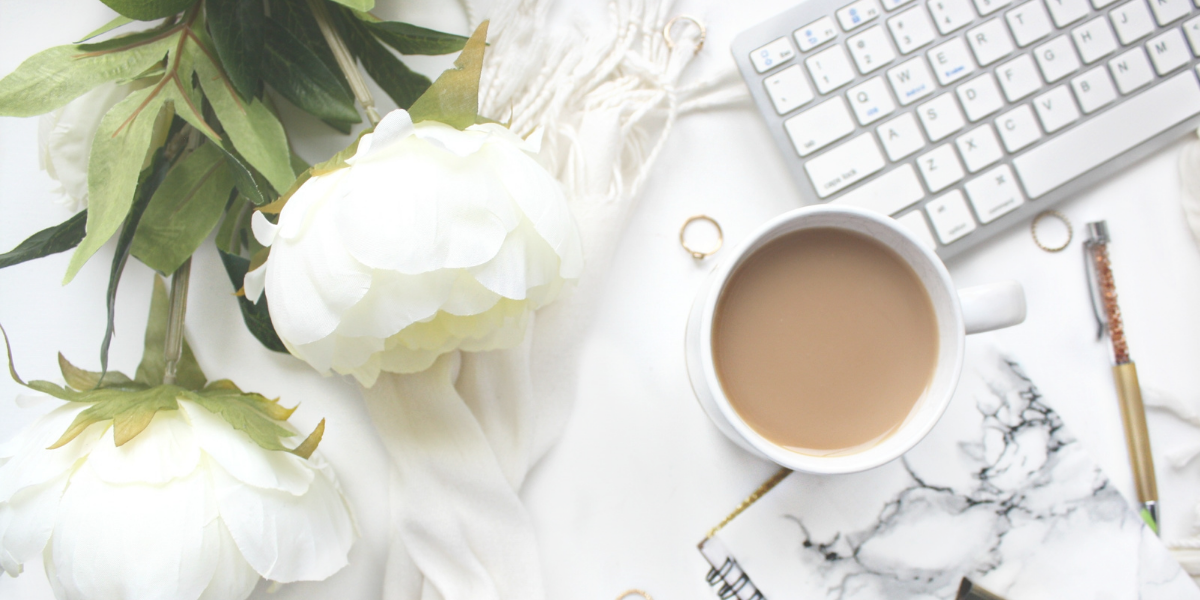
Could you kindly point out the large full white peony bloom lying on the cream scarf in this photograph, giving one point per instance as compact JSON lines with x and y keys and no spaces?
{"x":434,"y":239}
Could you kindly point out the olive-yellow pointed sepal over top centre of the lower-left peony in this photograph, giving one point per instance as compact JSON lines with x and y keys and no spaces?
{"x":131,"y":412}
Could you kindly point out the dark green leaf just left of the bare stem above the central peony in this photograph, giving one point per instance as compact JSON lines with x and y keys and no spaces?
{"x":303,"y":79}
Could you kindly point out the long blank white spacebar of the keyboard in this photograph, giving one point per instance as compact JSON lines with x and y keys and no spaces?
{"x":1097,"y":141}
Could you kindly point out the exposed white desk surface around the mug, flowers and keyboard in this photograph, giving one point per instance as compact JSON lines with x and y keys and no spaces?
{"x":640,"y":475}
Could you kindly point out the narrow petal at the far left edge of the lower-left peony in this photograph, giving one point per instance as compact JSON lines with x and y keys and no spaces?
{"x":27,"y":521}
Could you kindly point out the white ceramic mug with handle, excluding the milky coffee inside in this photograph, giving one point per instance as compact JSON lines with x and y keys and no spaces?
{"x":970,"y":311}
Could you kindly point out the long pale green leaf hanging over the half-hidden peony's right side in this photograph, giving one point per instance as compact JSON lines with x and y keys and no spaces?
{"x":118,"y":154}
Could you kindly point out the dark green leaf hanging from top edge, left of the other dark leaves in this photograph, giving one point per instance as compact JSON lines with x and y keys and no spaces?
{"x":237,"y":31}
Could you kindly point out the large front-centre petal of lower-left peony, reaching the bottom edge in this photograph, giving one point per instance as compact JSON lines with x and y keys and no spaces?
{"x":135,"y":542}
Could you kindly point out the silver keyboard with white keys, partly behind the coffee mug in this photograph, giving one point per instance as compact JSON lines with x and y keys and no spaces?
{"x":961,"y":118}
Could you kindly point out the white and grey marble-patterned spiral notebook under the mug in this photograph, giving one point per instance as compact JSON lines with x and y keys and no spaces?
{"x":999,"y":493}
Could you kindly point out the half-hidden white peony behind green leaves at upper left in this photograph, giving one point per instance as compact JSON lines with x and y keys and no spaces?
{"x":64,"y":141}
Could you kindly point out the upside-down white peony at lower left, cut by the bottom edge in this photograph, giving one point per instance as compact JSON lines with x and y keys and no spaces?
{"x":189,"y":509}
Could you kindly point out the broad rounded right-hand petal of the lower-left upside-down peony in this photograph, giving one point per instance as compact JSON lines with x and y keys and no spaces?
{"x":287,"y":538}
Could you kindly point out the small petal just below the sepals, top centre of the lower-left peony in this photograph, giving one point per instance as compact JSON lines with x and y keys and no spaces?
{"x":165,"y":451}
